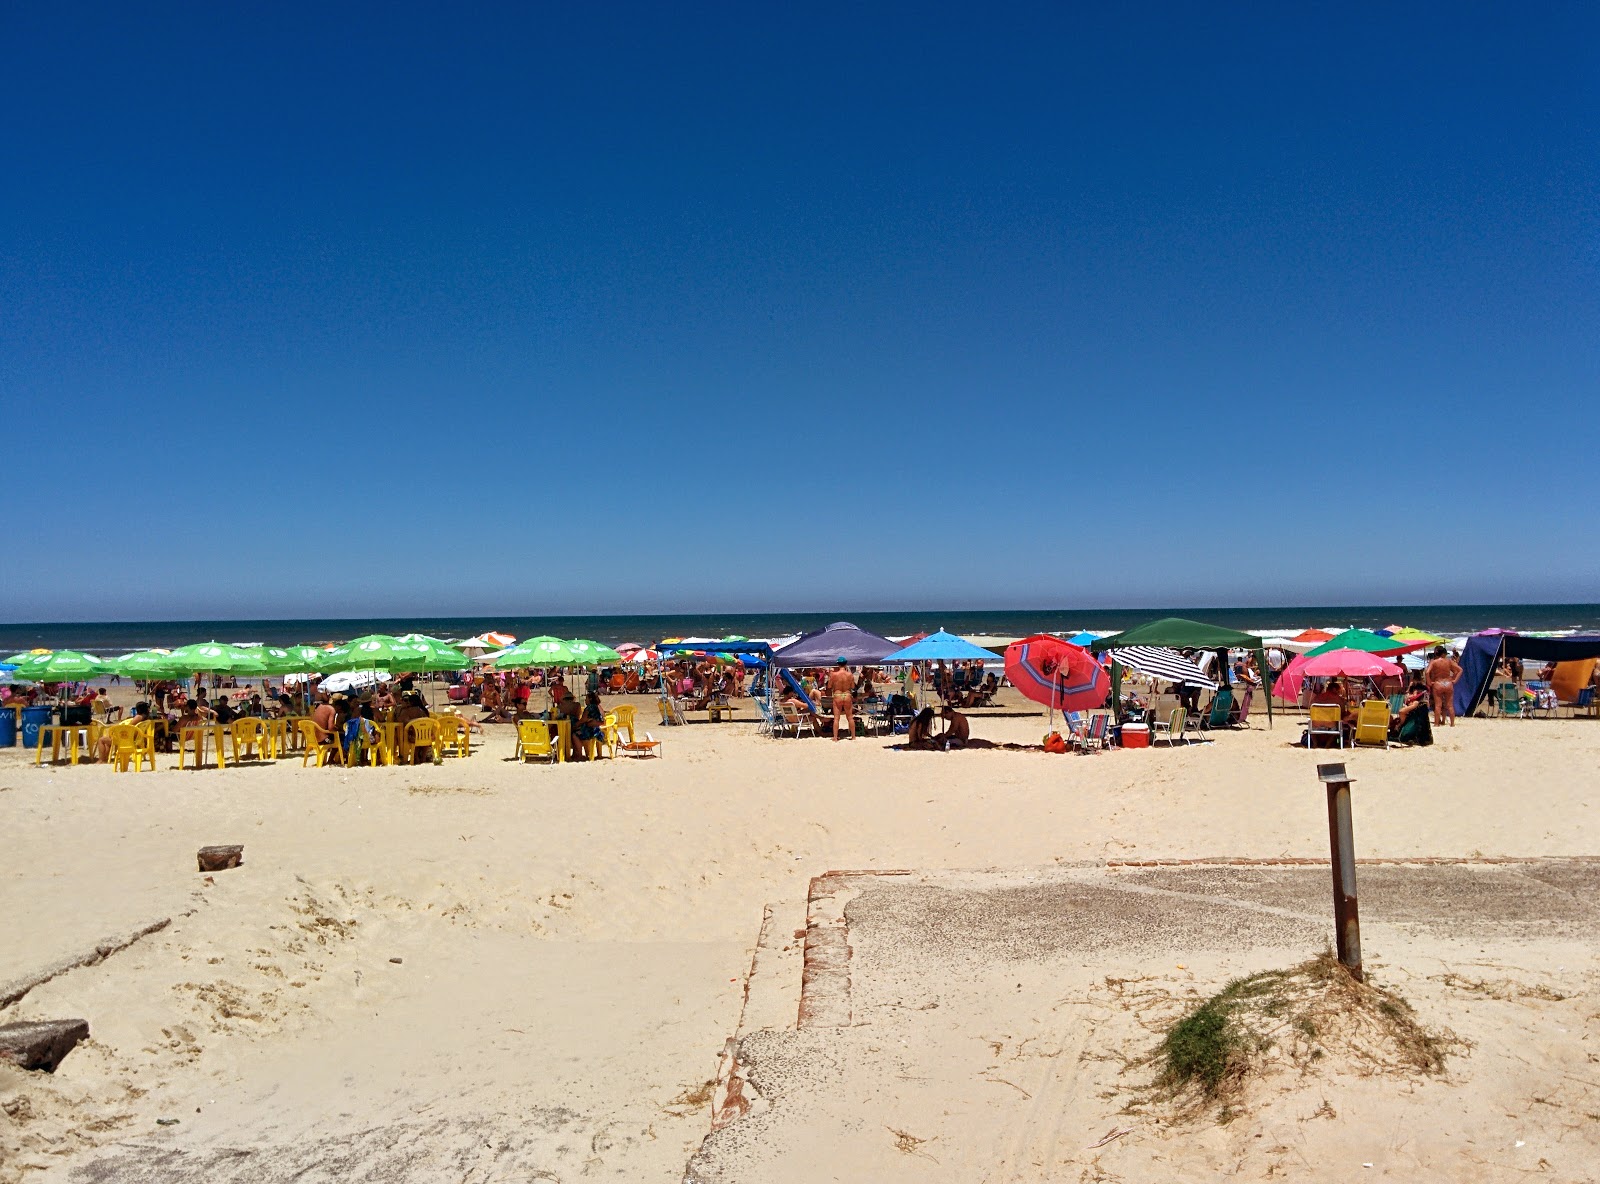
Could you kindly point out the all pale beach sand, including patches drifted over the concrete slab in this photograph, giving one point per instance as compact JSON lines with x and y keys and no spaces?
{"x":486,"y":972}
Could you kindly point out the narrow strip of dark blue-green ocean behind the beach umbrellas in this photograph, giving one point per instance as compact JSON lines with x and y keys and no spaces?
{"x":116,"y":638}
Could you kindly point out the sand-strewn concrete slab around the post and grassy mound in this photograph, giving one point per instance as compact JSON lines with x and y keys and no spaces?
{"x":990,"y":1018}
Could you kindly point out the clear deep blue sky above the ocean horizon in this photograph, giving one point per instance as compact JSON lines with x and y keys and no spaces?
{"x":324,"y":310}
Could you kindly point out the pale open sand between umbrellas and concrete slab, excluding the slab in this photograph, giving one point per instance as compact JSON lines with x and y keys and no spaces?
{"x":575,"y":940}
